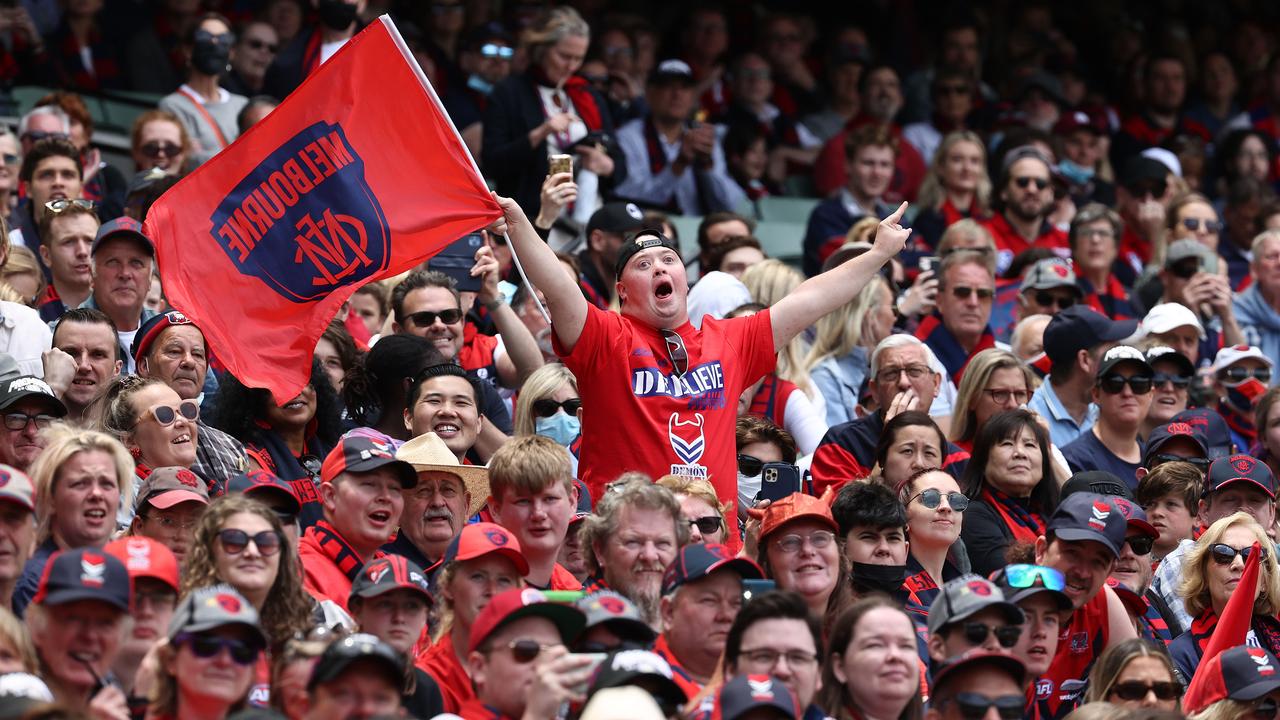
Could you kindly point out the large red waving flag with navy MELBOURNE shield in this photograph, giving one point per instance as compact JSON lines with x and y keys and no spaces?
{"x":358,"y":176}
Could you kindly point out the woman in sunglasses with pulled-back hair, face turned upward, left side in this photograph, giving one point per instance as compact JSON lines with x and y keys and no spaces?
{"x":156,"y":425}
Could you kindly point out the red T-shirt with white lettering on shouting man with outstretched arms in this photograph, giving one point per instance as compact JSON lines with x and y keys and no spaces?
{"x":638,"y":416}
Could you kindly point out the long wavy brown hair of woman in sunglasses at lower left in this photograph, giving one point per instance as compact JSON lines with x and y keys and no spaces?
{"x":289,"y":608}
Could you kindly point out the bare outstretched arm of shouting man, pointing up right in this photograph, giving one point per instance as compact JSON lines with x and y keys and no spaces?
{"x":838,"y":286}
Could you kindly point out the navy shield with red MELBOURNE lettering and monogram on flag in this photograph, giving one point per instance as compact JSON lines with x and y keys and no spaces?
{"x":305,"y":221}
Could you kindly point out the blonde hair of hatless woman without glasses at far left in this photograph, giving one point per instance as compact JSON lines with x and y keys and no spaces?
{"x":63,"y":444}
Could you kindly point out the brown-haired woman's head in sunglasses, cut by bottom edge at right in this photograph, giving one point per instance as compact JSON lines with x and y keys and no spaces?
{"x":1136,"y":675}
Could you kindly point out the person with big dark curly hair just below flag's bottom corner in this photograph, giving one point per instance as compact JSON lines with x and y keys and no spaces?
{"x":287,"y":440}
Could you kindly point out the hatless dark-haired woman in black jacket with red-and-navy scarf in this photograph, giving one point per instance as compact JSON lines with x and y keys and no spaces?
{"x":1011,"y":486}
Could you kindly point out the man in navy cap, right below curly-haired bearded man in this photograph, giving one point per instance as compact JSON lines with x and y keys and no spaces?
{"x":702,"y":593}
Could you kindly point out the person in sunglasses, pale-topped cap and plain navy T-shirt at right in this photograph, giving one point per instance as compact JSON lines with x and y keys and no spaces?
{"x":1123,"y":395}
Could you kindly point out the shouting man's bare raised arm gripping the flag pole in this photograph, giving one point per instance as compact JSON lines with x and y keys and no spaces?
{"x":565,"y":299}
